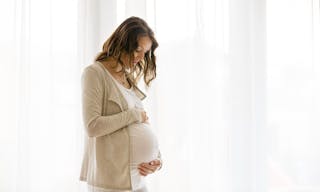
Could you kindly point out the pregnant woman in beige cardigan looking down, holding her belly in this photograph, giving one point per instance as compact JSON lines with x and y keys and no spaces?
{"x":121,"y":148}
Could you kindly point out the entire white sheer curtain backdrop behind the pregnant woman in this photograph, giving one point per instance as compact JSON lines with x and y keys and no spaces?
{"x":235,"y":104}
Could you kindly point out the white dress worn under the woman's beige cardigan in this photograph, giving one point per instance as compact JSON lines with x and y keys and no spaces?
{"x":143,"y":144}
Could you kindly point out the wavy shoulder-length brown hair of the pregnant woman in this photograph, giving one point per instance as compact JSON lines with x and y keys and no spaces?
{"x":125,"y":40}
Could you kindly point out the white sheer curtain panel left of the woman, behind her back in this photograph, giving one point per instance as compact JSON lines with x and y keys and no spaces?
{"x":40,"y":111}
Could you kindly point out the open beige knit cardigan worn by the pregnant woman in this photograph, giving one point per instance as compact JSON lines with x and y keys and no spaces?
{"x":106,"y":117}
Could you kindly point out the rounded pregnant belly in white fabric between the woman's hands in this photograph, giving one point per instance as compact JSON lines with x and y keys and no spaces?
{"x":143,"y":143}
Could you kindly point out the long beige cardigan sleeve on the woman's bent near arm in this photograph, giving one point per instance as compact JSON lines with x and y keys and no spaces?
{"x":92,"y":98}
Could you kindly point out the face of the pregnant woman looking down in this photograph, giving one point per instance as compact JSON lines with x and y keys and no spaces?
{"x":144,"y":45}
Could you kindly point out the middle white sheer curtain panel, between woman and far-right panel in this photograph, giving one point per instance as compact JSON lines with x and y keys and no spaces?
{"x":212,"y":95}
